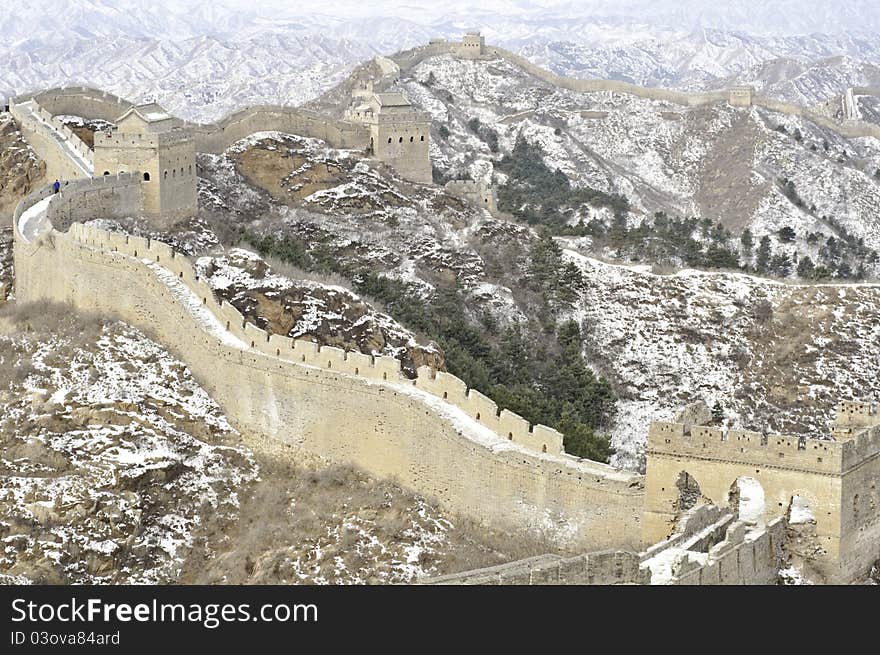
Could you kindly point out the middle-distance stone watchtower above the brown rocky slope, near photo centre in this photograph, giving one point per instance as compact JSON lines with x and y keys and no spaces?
{"x":399,"y":134}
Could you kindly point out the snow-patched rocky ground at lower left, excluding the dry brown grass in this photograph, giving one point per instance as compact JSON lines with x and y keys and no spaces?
{"x":99,"y":450}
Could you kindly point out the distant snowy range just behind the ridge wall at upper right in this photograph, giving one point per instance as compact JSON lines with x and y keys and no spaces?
{"x":805,"y":69}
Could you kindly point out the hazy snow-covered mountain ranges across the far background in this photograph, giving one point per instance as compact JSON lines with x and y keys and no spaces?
{"x":204,"y":59}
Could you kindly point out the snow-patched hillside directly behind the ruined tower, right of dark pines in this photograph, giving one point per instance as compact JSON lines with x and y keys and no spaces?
{"x":772,"y":355}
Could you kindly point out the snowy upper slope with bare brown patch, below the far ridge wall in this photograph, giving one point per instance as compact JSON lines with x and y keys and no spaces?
{"x":745,"y":168}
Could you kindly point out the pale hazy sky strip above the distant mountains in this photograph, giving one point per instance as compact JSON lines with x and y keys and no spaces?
{"x":206,"y":16}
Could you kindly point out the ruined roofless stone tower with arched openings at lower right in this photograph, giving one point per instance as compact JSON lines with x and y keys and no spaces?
{"x":834,"y":477}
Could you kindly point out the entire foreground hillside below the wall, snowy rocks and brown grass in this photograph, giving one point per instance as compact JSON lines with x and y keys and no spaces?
{"x":116,"y":467}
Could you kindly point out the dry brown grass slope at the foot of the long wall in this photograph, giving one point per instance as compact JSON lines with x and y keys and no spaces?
{"x":293,"y":506}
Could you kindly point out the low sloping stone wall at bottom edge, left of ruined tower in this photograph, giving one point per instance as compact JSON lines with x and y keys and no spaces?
{"x":599,"y":568}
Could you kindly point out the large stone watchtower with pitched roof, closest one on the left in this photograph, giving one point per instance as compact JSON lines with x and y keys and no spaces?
{"x":148,"y":139}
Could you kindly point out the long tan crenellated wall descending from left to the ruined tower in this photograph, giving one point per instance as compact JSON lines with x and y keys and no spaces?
{"x":348,"y":407}
